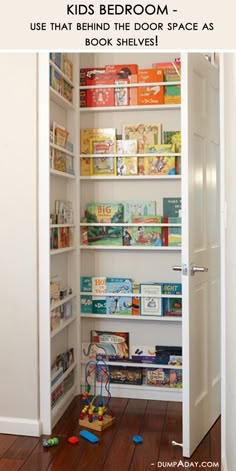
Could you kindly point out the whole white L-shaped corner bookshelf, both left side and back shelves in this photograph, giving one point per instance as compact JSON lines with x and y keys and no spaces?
{"x":145,"y":264}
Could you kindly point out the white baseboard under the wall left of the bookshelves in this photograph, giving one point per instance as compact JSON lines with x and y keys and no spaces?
{"x":18,"y":426}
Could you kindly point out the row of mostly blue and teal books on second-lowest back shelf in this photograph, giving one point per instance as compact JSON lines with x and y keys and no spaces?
{"x":150,"y":303}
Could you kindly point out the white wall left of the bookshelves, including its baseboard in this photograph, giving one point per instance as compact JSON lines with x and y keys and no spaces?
{"x":18,"y":244}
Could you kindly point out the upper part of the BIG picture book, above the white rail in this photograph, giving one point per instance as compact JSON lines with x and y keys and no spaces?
{"x":104,"y":212}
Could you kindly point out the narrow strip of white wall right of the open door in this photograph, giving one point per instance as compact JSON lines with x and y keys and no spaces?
{"x":229,"y":401}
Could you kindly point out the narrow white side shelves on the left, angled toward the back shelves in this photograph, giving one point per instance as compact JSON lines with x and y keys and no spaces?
{"x":62,"y":262}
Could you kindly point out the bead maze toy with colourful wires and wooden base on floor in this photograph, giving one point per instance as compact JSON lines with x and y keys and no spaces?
{"x":96,"y":413}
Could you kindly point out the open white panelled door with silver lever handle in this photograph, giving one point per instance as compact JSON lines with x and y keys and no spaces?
{"x":201,"y":246}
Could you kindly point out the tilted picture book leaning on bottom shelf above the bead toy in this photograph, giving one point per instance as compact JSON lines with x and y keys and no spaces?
{"x":117,"y":343}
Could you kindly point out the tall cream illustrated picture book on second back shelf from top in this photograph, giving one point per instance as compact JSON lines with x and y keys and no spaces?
{"x":145,"y":134}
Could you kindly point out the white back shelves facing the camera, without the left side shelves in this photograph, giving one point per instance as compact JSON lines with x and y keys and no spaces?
{"x":144,"y":264}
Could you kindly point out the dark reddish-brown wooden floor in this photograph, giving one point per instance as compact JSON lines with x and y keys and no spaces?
{"x":158,"y":422}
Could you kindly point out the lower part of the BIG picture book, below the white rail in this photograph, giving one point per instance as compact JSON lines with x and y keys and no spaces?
{"x":103,"y":235}
